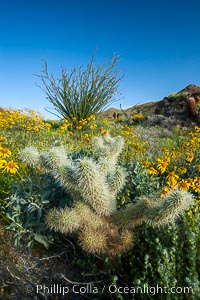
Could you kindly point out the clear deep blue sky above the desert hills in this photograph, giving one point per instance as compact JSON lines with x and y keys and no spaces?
{"x":158,"y":42}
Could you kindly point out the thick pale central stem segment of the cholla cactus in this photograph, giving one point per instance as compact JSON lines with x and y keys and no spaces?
{"x":93,"y":187}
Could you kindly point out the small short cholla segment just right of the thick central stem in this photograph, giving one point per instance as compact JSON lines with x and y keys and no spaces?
{"x":116,"y":180}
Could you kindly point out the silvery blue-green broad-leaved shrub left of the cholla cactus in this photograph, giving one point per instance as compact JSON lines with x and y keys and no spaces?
{"x":27,"y":206}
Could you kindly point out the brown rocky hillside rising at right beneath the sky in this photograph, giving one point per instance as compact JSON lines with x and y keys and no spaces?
{"x":183,"y":107}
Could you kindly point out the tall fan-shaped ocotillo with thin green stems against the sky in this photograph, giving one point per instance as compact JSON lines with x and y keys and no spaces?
{"x":81,"y":93}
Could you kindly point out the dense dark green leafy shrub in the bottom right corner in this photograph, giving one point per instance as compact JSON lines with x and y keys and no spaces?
{"x":166,"y":257}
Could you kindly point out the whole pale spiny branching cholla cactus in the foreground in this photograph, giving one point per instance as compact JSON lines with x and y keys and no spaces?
{"x":94,"y":183}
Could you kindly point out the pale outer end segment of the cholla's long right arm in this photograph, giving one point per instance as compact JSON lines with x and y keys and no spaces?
{"x":169,"y":208}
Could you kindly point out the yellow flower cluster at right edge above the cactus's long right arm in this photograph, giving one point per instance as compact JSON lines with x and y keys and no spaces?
{"x":179,"y":169}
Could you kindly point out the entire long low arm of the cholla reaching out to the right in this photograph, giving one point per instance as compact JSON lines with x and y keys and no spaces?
{"x":154,"y":211}
